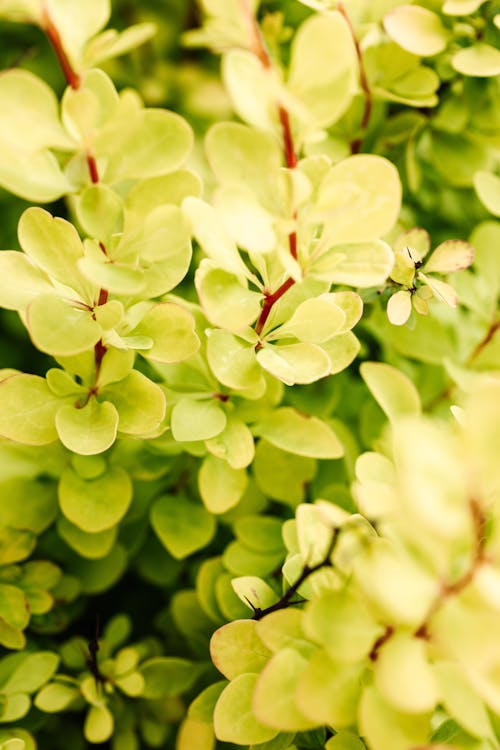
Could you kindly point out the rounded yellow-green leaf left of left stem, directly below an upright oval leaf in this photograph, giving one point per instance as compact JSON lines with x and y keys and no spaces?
{"x":60,"y":328}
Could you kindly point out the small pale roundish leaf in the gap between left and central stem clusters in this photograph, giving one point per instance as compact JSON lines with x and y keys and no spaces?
{"x":197,"y":420}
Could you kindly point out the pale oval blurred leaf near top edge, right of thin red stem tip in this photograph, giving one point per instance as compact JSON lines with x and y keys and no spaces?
{"x":416,"y":29}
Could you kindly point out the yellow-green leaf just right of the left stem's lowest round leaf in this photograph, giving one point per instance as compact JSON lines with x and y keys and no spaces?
{"x":140,"y":403}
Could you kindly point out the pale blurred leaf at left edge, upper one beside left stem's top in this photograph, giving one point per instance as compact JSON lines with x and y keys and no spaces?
{"x":25,"y":99}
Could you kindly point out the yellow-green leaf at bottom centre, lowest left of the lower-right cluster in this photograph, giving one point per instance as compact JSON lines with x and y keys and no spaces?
{"x":234,"y":720}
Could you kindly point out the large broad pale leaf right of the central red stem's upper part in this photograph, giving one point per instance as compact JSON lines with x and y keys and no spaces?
{"x":364,"y":186}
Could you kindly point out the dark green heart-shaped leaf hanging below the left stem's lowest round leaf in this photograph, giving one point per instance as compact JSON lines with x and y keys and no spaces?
{"x":95,"y":505}
